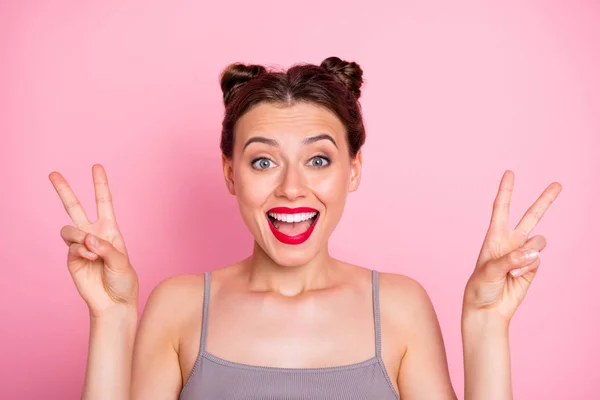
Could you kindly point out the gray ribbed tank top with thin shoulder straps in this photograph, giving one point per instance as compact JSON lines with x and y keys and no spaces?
{"x":214,"y":378}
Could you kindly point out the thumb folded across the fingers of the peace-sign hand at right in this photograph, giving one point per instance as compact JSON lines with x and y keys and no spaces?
{"x":524,"y":256}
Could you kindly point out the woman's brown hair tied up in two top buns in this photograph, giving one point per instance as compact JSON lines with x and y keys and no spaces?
{"x":335,"y":85}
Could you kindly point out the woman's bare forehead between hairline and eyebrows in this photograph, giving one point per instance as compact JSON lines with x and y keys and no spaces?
{"x":301,"y":119}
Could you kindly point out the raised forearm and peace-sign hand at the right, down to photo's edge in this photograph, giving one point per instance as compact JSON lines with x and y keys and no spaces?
{"x":507,"y":264}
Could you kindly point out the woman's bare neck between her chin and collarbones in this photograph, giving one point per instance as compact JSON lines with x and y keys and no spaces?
{"x":264,"y":274}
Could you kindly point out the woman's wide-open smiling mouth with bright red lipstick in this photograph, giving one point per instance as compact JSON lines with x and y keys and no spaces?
{"x":292,"y":225}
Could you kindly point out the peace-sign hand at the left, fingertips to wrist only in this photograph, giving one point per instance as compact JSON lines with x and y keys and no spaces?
{"x":97,"y":257}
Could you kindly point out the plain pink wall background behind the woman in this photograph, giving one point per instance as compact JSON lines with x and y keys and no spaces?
{"x":454,"y":95}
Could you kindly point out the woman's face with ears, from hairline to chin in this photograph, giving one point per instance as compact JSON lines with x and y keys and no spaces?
{"x":291,"y":172}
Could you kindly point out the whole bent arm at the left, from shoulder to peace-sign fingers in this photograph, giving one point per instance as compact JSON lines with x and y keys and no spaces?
{"x":121,"y":367}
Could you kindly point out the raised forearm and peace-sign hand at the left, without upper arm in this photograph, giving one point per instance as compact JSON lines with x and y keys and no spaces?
{"x":99,"y":265}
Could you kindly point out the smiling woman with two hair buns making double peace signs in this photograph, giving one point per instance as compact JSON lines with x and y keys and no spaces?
{"x":290,"y":321}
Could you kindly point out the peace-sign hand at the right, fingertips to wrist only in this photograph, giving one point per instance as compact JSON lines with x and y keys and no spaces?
{"x":509,"y":259}
